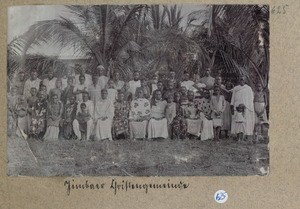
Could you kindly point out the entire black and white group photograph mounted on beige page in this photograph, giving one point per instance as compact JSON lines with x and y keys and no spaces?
{"x":138,"y":90}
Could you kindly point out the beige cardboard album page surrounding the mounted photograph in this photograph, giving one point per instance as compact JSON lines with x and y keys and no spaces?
{"x":278,"y":190}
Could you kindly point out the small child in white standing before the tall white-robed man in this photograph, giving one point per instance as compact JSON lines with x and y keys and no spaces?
{"x":240,"y":122}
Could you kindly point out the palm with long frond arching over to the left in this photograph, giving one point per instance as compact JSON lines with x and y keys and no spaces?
{"x":98,"y":32}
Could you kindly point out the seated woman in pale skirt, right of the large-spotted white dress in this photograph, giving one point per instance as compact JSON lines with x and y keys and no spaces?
{"x":158,"y":126}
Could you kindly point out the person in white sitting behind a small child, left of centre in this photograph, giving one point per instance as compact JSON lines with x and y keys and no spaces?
{"x":90,"y":123}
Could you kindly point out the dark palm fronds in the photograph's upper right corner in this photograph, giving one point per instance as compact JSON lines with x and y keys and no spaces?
{"x":239,"y":34}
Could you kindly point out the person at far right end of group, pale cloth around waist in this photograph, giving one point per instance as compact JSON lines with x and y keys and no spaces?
{"x":260,"y":103}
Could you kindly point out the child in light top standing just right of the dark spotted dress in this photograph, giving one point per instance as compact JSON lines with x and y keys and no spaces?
{"x":217,"y":103}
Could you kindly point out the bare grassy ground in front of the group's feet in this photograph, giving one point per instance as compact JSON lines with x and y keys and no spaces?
{"x":137,"y":158}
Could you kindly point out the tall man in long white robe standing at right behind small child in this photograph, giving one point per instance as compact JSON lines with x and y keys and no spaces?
{"x":243,"y":94}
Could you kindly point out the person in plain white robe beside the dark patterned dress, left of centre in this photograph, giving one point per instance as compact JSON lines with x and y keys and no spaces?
{"x":104,"y":113}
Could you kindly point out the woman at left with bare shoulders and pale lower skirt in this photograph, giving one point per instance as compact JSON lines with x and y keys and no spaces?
{"x":54,"y":113}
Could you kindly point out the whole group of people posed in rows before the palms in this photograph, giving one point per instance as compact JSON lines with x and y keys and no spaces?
{"x":83,"y":107}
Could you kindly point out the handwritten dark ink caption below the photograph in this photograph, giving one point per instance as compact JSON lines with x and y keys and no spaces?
{"x":116,"y":186}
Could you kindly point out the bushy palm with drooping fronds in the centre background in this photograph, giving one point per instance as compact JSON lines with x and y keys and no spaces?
{"x":169,"y":45}
